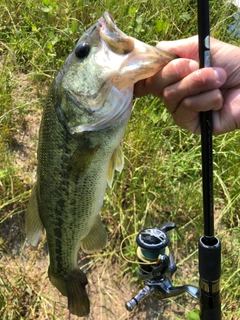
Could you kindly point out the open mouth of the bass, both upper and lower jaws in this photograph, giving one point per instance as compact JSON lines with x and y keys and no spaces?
{"x":139,"y":60}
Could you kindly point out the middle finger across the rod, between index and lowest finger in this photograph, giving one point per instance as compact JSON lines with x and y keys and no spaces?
{"x":202,"y":80}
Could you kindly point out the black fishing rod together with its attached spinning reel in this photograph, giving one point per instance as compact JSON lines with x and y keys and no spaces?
{"x":156,"y":262}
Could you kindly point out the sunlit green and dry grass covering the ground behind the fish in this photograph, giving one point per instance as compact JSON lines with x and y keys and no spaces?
{"x":161,"y":180}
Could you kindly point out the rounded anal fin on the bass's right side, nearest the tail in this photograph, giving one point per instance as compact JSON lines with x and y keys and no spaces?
{"x":96,"y":239}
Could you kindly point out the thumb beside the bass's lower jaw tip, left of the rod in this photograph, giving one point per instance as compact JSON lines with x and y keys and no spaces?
{"x":184,"y":48}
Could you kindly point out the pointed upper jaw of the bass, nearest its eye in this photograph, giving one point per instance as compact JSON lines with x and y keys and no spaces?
{"x":116,"y":40}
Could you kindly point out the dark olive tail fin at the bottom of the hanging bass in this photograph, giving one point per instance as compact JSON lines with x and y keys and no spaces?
{"x":73,"y":286}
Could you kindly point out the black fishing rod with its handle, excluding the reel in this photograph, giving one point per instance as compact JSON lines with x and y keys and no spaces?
{"x":209,"y":247}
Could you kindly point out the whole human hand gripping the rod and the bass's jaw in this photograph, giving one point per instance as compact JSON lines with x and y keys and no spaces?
{"x":187,"y":90}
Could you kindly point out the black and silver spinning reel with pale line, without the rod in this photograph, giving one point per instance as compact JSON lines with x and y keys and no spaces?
{"x":157,"y":266}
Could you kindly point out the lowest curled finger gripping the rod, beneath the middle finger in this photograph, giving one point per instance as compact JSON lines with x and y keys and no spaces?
{"x":186,"y":114}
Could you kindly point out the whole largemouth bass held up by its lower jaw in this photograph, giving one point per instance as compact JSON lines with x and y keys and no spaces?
{"x":79,"y":149}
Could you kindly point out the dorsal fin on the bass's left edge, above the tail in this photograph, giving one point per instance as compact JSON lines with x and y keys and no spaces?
{"x":33,"y":223}
